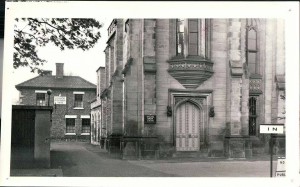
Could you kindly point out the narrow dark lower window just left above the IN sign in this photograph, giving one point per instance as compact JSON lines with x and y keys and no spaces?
{"x":252,"y":116}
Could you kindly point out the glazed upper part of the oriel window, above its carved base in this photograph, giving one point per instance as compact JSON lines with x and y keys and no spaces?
{"x":192,"y":37}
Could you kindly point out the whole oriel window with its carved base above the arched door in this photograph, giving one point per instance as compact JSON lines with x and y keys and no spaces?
{"x":191,"y":65}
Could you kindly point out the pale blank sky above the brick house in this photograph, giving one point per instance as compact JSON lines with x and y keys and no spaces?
{"x":76,"y":62}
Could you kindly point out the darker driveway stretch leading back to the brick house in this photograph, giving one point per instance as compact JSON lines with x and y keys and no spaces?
{"x":84,"y":160}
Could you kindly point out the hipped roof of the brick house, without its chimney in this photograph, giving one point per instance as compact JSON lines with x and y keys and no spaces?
{"x":51,"y":82}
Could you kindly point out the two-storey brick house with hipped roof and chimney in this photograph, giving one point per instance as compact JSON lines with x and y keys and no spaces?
{"x":70,"y":97}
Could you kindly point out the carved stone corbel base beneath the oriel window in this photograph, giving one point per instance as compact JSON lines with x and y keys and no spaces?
{"x":190,"y":71}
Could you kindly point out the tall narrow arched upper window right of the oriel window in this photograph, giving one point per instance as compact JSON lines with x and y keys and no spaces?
{"x":252,"y":46}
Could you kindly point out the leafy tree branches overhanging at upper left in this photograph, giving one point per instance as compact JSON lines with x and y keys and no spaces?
{"x":62,"y":32}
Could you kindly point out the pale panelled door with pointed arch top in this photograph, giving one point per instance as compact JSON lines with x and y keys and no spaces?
{"x":187,"y":121}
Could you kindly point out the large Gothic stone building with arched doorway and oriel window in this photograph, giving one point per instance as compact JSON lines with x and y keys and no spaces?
{"x":193,"y":87}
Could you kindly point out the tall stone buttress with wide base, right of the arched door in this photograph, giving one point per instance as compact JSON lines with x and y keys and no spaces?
{"x":236,"y":143}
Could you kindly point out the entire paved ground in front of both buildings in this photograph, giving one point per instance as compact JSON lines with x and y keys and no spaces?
{"x":82,"y":159}
